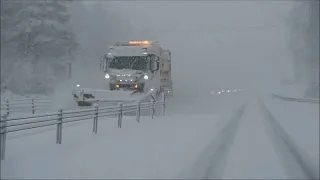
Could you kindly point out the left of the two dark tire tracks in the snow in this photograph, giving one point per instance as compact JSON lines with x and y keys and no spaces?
{"x":212,"y":161}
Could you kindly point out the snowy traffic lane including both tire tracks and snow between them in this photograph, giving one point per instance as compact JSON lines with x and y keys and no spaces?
{"x":253,"y":145}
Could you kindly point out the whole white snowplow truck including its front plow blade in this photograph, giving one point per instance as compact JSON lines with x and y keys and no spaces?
{"x":133,"y":71}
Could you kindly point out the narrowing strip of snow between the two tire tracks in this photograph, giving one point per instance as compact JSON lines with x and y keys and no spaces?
{"x":252,"y":155}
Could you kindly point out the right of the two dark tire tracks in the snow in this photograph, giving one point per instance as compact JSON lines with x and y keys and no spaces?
{"x":295,"y":161}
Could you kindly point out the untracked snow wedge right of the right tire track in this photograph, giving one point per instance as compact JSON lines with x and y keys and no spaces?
{"x":301,"y":122}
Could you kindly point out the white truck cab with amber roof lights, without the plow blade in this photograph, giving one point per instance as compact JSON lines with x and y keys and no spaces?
{"x":134,"y":66}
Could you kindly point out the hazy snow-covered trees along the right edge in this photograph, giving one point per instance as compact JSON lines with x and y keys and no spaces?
{"x":304,"y":43}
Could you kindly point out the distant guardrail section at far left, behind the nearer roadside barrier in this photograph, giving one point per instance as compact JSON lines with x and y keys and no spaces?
{"x":32,"y":105}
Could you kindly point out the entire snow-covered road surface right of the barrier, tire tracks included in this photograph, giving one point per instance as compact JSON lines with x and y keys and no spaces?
{"x":236,"y":139}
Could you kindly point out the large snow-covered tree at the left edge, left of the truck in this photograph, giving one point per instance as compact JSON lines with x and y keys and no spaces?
{"x":36,"y":37}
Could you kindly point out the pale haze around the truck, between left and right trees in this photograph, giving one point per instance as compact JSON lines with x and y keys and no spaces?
{"x":214,"y":44}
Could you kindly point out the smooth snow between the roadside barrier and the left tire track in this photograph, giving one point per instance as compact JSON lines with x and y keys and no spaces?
{"x":153,"y":148}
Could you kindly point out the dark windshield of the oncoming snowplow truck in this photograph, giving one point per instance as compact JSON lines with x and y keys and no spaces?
{"x":129,"y":62}
